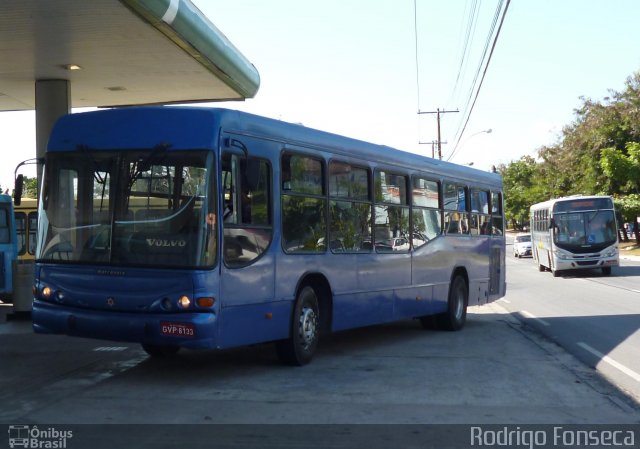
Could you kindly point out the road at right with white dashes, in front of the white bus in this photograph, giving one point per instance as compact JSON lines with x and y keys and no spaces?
{"x":594,"y":317}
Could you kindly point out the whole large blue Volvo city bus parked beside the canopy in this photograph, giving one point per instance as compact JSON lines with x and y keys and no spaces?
{"x":191,"y":227}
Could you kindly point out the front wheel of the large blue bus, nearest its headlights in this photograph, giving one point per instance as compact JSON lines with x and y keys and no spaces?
{"x":304,"y":334}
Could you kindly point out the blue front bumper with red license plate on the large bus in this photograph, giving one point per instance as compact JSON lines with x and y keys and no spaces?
{"x":188,"y":330}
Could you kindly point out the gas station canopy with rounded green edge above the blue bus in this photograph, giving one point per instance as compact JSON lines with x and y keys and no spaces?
{"x":118,"y":52}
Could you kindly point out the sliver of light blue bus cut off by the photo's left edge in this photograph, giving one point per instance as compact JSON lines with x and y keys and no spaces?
{"x":8,"y":248}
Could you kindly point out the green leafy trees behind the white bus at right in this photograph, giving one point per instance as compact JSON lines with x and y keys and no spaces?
{"x":598,"y":153}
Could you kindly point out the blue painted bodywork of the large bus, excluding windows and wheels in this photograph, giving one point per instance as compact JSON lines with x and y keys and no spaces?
{"x":254,"y":303}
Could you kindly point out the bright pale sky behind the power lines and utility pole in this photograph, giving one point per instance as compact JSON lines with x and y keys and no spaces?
{"x":365,"y":68}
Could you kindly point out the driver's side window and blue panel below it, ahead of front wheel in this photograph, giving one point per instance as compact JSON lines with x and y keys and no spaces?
{"x":247,"y":273}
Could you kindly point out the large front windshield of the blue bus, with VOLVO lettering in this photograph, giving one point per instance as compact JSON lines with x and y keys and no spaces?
{"x":140,"y":208}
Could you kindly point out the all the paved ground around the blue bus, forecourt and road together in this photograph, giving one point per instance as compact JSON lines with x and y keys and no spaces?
{"x":506,"y":367}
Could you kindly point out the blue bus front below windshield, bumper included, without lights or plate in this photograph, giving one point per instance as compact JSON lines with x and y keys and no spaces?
{"x":125,"y":304}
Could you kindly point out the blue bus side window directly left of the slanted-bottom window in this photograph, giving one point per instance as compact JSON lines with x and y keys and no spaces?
{"x":391,"y":213}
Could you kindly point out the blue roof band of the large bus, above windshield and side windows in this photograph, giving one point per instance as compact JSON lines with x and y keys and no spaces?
{"x":182,"y":128}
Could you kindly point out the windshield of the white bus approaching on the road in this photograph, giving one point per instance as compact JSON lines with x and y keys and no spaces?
{"x":597,"y":228}
